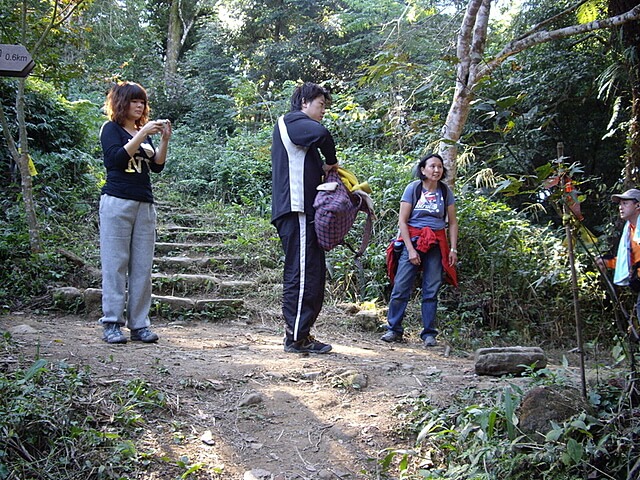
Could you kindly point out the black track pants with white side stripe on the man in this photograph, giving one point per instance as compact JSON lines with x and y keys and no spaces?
{"x":304,"y":274}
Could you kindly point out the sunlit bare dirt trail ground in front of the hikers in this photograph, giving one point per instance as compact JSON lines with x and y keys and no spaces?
{"x":314,"y":417}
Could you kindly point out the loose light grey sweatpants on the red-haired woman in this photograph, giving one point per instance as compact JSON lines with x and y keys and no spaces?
{"x":127,"y":240}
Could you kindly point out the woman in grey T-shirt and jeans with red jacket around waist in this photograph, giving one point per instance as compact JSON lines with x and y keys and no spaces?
{"x":427,"y":205}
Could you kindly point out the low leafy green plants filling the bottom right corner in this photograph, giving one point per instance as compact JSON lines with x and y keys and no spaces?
{"x":482,"y":440}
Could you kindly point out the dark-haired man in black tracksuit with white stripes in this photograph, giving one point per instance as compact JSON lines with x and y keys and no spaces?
{"x":297,"y":170}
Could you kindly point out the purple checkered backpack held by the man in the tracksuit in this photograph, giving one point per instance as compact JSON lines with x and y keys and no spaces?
{"x":335,"y":214}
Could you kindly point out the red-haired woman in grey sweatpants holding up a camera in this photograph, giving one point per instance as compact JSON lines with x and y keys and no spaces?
{"x":127,"y":213}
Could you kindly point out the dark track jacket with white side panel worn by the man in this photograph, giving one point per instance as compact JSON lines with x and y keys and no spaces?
{"x":297,"y":170}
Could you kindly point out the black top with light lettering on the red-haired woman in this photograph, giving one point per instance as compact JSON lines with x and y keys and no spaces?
{"x":126,"y":177}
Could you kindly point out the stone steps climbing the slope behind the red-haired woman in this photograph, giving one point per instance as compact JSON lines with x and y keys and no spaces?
{"x":197,"y":270}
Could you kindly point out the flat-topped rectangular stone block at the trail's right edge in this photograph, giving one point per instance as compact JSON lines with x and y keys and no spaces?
{"x":500,"y":361}
